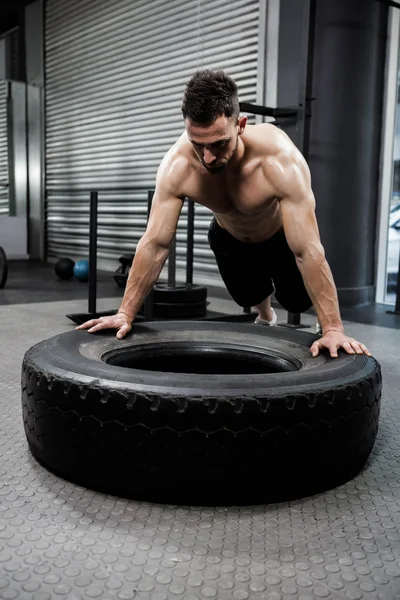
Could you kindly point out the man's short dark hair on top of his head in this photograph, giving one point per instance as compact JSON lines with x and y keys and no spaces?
{"x":208,"y":95}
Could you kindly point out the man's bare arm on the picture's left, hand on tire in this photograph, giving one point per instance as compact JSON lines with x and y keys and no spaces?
{"x":153,"y":248}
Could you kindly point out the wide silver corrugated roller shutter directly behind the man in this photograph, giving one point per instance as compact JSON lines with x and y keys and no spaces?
{"x":115,"y":75}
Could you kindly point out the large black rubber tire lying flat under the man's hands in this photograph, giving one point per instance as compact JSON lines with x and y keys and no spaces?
{"x":201,"y":413}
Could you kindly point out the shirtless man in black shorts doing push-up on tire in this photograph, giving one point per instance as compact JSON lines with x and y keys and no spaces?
{"x":264,"y":233}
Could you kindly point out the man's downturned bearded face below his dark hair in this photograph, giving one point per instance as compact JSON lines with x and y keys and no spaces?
{"x":215,"y":144}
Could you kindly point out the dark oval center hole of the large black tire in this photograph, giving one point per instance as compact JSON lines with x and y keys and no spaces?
{"x":200,"y":359}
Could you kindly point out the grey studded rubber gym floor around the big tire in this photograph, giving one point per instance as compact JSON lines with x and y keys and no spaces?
{"x":58,"y":540}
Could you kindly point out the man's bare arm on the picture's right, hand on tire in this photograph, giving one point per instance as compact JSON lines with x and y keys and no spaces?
{"x":301,"y":230}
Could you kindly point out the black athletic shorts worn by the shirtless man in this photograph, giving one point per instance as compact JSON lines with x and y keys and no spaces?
{"x":253,"y":271}
